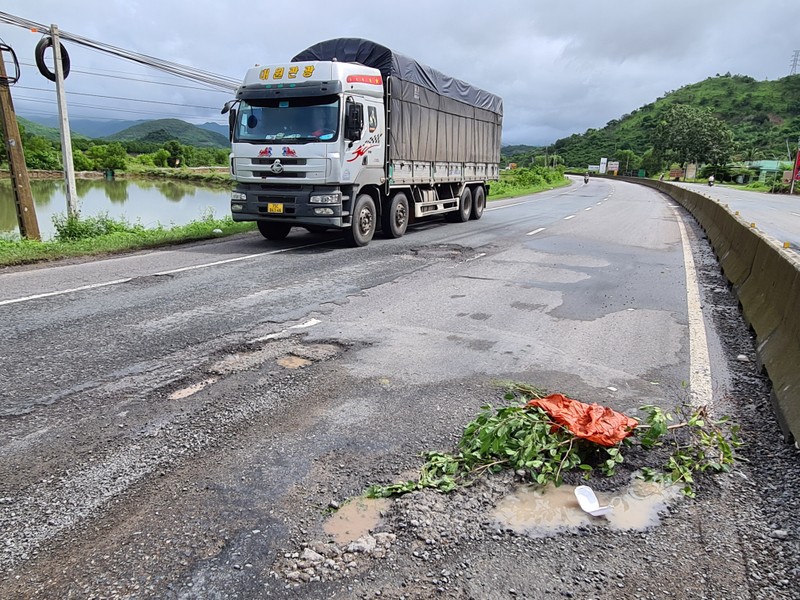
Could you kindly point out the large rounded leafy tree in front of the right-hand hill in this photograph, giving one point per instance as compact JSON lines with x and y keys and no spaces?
{"x":693,"y":134}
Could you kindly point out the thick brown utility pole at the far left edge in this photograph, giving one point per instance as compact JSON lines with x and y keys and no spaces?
{"x":20,"y":184}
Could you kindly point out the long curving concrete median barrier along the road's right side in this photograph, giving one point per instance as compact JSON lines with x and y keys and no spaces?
{"x":766,"y":279}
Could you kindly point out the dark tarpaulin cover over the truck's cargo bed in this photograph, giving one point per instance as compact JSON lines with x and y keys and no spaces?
{"x":433,"y":117}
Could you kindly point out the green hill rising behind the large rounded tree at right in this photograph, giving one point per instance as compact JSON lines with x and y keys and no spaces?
{"x":762,"y":114}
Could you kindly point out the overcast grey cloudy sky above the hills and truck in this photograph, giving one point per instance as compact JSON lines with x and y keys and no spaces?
{"x":560,"y":67}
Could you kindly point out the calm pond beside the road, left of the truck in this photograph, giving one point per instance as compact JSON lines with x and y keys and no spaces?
{"x":148,"y":202}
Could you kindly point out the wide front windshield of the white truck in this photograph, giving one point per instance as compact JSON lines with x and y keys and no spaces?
{"x":291,"y":120}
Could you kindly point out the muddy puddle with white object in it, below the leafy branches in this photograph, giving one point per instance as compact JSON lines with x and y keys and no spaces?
{"x":542,"y":512}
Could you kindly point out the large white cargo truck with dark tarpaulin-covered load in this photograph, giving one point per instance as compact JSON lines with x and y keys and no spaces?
{"x":351,"y":135}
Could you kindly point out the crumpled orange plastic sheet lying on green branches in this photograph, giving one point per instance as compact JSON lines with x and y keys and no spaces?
{"x":598,"y":424}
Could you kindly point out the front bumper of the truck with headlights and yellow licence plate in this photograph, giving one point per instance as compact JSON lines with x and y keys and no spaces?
{"x":288,"y":205}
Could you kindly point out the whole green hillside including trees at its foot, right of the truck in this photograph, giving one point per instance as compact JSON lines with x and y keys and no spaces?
{"x":726,"y":122}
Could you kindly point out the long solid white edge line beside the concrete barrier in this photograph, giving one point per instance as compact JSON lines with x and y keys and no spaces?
{"x":699,"y":362}
